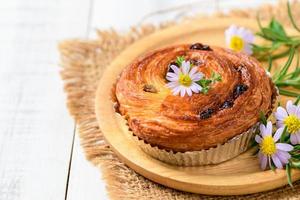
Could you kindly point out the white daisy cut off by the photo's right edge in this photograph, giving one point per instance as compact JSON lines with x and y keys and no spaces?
{"x":290,"y":118}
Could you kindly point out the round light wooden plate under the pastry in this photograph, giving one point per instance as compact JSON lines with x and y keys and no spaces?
{"x":240,"y":175}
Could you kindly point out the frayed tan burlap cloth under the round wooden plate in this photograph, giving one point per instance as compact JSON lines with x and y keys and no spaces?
{"x":83,"y":62}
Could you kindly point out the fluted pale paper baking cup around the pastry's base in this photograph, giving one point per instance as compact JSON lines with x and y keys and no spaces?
{"x":218,"y":154}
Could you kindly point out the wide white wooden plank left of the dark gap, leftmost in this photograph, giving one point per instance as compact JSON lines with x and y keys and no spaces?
{"x":36,"y":130}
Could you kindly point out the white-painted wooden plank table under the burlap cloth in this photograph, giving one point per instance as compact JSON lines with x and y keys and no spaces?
{"x":40,"y":155}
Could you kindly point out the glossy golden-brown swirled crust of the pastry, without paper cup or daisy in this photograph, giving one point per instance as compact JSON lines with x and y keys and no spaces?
{"x":172,"y":122}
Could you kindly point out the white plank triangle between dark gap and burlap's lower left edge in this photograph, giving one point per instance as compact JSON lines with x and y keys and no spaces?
{"x":85,"y":179}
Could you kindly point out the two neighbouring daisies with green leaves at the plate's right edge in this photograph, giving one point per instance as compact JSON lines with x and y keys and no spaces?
{"x":279,"y":144}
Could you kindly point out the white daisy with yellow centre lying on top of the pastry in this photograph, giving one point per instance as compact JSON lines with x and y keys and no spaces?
{"x":184,"y":79}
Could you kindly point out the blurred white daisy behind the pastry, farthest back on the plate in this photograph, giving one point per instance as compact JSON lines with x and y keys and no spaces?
{"x":239,"y":39}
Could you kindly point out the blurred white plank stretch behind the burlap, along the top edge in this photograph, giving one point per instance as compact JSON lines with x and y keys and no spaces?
{"x":131,"y":12}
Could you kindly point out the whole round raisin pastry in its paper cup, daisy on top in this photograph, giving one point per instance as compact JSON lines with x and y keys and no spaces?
{"x":190,"y":126}
